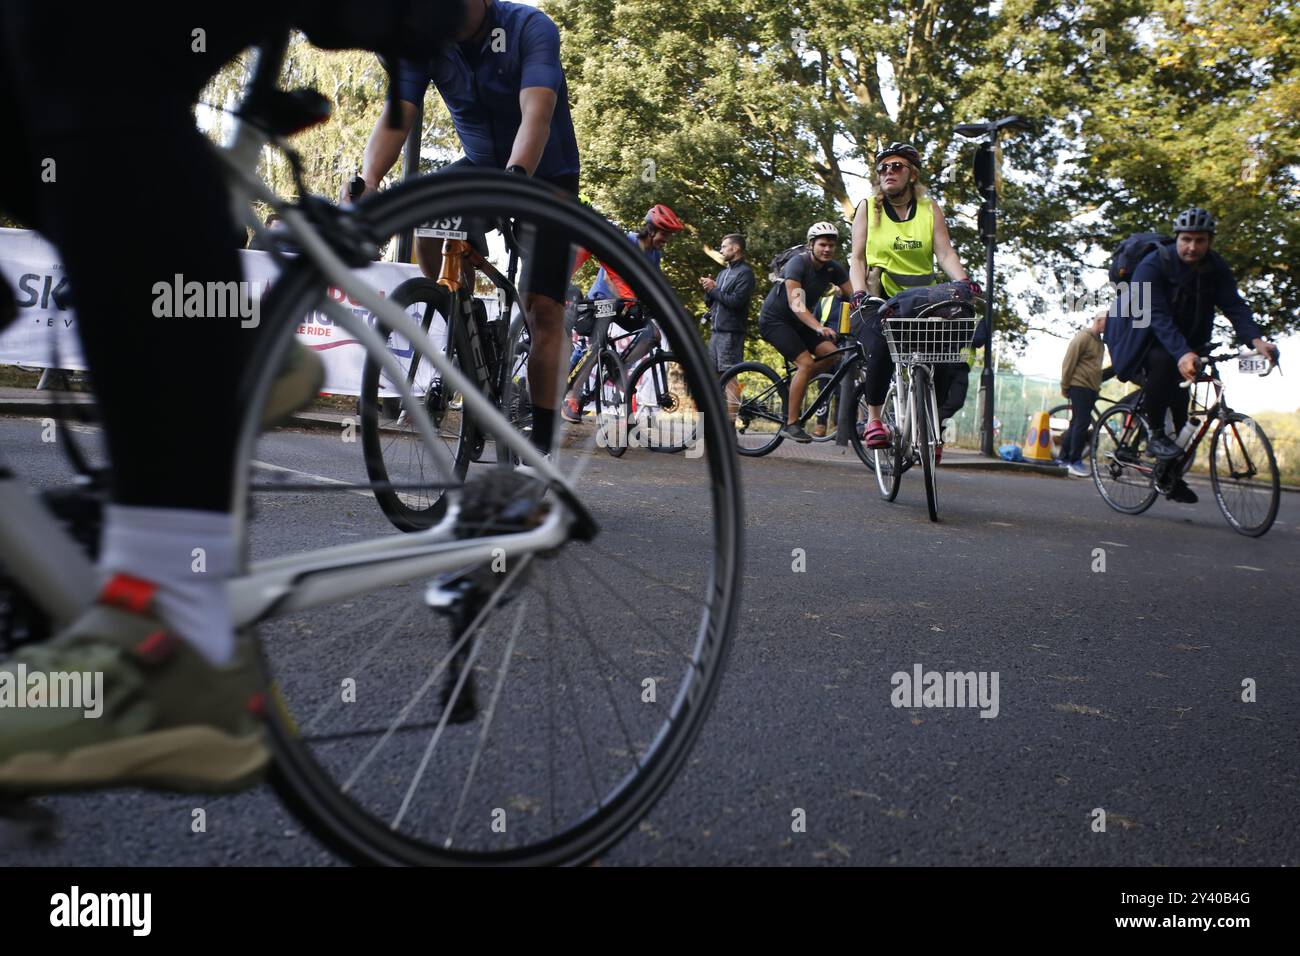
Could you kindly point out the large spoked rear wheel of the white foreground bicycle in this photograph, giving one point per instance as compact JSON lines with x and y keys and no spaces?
{"x":596,"y":663}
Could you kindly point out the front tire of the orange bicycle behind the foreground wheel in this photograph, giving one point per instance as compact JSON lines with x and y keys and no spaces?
{"x":384,"y":451}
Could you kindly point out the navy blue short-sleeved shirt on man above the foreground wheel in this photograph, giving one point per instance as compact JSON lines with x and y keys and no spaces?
{"x":482,"y":88}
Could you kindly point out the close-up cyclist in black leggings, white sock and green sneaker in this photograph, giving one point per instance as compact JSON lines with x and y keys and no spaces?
{"x":183,"y":695}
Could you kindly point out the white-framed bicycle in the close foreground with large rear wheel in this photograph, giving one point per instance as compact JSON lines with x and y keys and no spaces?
{"x":353,"y":772}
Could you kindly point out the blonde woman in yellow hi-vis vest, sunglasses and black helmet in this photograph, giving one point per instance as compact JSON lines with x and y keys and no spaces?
{"x":898,"y":236}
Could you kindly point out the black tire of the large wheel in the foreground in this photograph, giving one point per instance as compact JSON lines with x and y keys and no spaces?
{"x":301,"y":778}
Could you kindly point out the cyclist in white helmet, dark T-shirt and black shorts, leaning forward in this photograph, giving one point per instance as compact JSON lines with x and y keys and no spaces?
{"x":787,"y":322}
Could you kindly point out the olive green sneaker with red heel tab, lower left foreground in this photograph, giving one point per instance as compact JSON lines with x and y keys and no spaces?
{"x":118,"y":700}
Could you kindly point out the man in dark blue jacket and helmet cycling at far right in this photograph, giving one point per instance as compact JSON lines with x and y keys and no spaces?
{"x":1185,"y":283}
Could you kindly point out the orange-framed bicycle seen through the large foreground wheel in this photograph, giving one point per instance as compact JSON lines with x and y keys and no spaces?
{"x":392,"y":451}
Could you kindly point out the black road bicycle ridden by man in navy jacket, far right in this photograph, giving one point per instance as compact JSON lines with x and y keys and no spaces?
{"x":1243,"y":471}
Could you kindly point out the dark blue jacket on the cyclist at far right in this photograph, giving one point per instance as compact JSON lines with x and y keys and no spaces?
{"x":1176,"y":304}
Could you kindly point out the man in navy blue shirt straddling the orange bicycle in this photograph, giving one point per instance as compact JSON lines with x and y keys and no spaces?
{"x":506,"y":92}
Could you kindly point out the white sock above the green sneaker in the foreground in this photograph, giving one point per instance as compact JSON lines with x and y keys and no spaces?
{"x":190,"y":556}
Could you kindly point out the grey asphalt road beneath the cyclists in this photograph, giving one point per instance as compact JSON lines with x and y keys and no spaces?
{"x":1117,"y":690}
